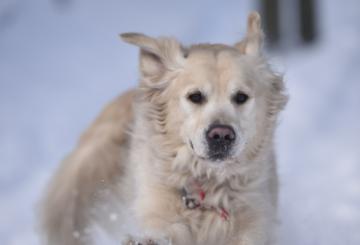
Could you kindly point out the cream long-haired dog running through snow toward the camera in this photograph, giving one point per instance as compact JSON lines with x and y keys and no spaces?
{"x":188,"y":153}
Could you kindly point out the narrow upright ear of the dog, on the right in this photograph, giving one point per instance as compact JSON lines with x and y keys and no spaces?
{"x":252,"y":43}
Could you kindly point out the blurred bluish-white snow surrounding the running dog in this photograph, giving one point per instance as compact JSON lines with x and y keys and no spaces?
{"x":60,"y":63}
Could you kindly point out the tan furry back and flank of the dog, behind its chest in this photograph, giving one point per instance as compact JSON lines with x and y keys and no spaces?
{"x":94,"y":165}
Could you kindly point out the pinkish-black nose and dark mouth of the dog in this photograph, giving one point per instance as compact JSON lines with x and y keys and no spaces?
{"x":220,"y":139}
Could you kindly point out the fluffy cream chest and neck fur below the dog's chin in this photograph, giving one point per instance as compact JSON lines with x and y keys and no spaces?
{"x":162,"y":170}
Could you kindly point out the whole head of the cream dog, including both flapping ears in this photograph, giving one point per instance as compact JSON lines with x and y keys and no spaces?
{"x":220,"y":101}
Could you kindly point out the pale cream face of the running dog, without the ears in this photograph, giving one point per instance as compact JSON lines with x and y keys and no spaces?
{"x":219,"y":99}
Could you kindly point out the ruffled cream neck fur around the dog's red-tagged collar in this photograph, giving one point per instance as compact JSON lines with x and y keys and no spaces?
{"x":203,"y":185}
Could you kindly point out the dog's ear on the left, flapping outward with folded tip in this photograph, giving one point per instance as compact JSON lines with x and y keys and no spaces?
{"x":158,"y":56}
